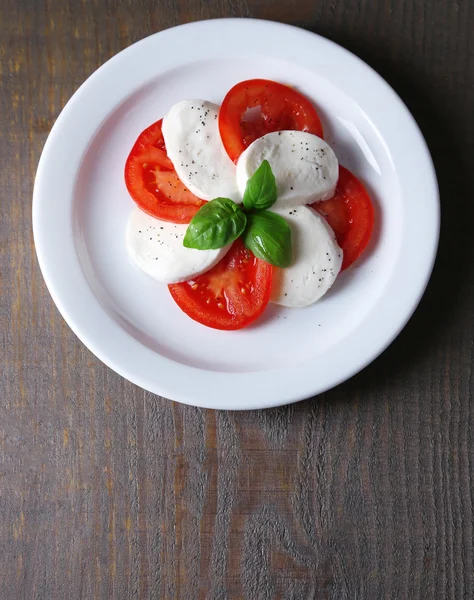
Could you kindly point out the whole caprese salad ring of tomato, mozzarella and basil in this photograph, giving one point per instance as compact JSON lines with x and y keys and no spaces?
{"x":243,"y":204}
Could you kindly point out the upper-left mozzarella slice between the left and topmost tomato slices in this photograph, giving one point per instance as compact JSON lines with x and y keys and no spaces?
{"x":194,"y":146}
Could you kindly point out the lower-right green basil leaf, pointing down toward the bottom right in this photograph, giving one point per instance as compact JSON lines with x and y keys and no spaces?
{"x":268,"y":236}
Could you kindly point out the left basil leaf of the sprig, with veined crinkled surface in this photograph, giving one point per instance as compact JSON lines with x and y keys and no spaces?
{"x":216,"y":224}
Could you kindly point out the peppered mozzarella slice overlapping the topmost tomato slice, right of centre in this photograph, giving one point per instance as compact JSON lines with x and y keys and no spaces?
{"x":305,"y":167}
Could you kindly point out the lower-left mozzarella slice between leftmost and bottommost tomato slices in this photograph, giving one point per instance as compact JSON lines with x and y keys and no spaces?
{"x":156,"y":247}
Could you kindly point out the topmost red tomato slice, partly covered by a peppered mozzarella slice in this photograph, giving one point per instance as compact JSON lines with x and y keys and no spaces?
{"x":258,"y":106}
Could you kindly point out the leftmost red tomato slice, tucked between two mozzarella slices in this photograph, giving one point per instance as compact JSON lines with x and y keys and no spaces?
{"x":153,"y":183}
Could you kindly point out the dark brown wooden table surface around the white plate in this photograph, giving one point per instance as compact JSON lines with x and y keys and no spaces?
{"x":365,"y":492}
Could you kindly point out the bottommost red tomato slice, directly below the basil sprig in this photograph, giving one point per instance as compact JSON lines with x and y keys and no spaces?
{"x":230,"y":295}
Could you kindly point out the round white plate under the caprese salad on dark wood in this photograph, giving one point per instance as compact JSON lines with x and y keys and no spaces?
{"x":130,"y":322}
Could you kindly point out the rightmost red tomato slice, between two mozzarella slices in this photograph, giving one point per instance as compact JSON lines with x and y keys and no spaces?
{"x":350,"y":214}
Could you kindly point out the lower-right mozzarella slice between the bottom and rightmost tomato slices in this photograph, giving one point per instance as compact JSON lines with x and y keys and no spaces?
{"x":317,"y":259}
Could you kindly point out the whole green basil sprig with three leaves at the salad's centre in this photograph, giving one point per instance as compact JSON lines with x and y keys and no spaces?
{"x":221,"y":221}
